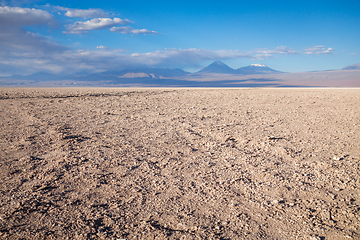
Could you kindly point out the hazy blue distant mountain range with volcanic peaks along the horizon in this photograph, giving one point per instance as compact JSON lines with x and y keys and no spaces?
{"x":217,"y":74}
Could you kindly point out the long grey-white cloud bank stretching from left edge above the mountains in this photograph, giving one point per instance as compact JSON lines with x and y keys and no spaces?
{"x":26,"y":53}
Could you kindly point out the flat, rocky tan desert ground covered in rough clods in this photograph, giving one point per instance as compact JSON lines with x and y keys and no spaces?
{"x":180,"y":164}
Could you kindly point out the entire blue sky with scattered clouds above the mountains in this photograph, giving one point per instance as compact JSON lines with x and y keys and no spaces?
{"x":66,"y":36}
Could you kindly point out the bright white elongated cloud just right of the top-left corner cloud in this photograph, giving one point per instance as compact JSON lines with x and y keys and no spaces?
{"x":94,"y":24}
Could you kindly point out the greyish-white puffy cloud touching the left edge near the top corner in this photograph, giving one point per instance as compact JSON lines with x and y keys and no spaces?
{"x":23,"y":16}
